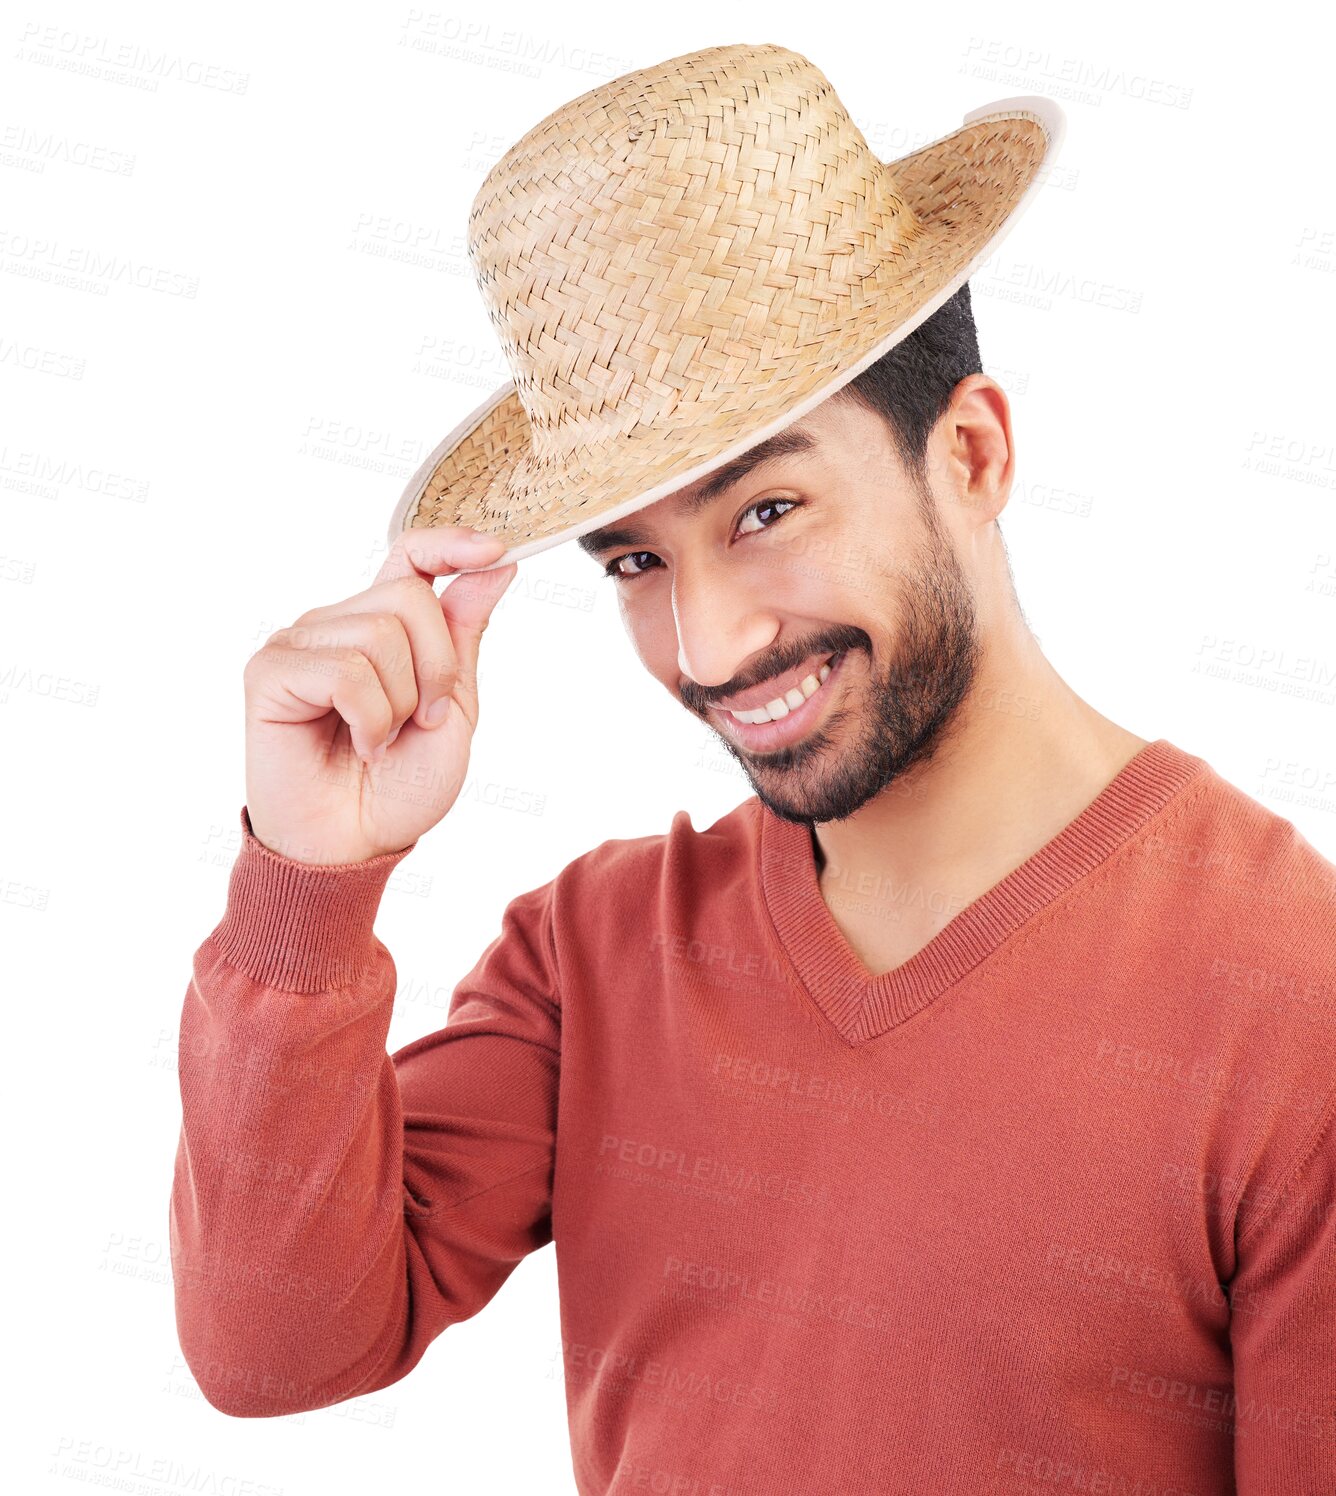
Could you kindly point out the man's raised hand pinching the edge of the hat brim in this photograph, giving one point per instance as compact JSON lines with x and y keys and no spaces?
{"x":360,"y":716}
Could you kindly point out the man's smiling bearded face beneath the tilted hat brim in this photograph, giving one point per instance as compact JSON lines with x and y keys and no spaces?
{"x":818,"y":553}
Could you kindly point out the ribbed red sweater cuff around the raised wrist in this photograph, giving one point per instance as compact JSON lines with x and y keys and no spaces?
{"x":301,"y":927}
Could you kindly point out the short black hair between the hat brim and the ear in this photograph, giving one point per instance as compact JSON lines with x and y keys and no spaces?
{"x":912,"y":385}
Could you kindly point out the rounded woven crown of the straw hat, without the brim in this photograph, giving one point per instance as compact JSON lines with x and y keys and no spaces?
{"x":669,"y":224}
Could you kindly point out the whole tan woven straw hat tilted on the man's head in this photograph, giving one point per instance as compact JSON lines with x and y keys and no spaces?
{"x":689,"y":258}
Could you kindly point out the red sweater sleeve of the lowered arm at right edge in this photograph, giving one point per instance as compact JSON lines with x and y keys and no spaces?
{"x":1283,"y":1331}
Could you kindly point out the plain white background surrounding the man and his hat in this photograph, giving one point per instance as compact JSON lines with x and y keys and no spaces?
{"x":237,"y":315}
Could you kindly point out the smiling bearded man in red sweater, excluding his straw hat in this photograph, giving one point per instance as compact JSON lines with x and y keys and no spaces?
{"x":955,"y":1114}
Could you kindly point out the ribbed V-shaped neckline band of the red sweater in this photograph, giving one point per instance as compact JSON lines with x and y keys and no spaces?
{"x":862,"y":1005}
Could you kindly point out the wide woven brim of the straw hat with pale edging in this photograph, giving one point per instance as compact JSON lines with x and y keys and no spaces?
{"x":952,"y":186}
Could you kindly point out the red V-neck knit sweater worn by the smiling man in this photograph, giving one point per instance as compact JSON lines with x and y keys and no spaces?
{"x":1050,"y":1208}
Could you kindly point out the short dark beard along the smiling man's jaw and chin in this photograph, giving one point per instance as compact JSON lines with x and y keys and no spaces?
{"x":897,"y":717}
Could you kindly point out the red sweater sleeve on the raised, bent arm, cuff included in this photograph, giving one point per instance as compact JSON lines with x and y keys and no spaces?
{"x":334,"y":1207}
